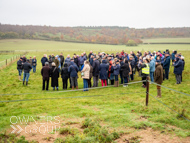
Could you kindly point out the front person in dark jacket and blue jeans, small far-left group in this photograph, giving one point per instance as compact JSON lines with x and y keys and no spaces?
{"x":26,"y":67}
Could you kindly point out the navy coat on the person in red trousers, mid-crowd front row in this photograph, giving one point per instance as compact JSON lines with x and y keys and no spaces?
{"x":103,"y":70}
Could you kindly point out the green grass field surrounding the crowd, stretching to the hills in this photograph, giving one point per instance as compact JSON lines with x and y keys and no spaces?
{"x":120,"y":110}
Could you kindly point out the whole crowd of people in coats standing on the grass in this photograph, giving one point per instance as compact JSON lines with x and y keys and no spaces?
{"x":109,"y":68}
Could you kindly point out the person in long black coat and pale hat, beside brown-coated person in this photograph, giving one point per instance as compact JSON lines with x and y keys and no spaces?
{"x":54,"y":73}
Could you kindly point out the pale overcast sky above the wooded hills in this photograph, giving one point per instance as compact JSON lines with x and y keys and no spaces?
{"x":131,"y":13}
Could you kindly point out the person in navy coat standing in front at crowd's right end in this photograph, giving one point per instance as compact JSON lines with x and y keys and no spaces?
{"x":178,"y":68}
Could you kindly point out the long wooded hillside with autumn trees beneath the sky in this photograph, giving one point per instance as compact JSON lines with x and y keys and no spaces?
{"x":99,"y":34}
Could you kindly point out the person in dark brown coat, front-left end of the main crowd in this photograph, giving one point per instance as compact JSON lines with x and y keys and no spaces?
{"x":45,"y":72}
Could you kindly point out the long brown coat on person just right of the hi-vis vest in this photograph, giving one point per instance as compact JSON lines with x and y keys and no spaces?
{"x":158,"y":74}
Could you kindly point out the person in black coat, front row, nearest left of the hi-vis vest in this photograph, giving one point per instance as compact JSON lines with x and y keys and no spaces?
{"x":125,"y":71}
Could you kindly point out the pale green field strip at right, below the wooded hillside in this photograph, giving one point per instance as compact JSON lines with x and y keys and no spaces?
{"x":168,"y":40}
